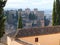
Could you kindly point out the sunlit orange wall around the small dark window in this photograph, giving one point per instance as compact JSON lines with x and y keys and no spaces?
{"x":51,"y":39}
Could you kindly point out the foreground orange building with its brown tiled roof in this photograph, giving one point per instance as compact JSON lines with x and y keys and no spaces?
{"x":35,"y":36}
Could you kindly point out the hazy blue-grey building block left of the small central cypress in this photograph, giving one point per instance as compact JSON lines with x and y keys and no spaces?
{"x":12,"y":17}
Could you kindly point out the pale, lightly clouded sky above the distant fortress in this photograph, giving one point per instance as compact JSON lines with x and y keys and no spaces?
{"x":40,"y":4}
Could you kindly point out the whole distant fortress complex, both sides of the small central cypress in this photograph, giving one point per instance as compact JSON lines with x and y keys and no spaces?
{"x":30,"y":18}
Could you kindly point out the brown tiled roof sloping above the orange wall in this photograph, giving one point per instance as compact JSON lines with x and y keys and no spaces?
{"x":37,"y":31}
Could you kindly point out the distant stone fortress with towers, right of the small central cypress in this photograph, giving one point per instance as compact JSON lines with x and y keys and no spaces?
{"x":39,"y":22}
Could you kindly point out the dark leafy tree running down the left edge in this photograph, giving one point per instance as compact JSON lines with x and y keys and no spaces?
{"x":2,"y":19}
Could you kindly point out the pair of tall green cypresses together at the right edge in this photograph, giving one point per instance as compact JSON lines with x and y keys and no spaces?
{"x":56,"y":13}
